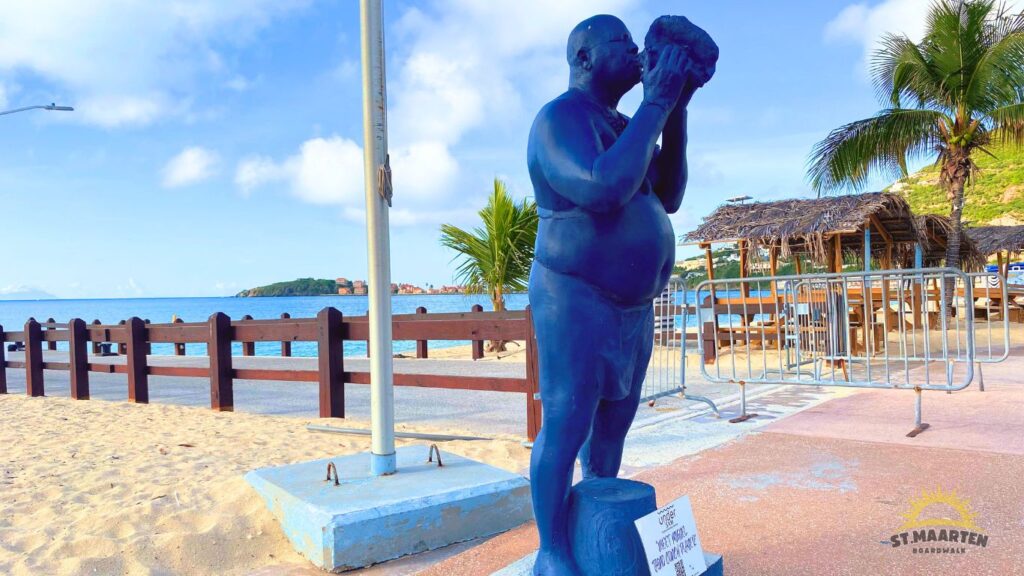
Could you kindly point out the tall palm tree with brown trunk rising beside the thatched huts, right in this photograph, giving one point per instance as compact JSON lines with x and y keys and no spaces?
{"x":951,"y":96}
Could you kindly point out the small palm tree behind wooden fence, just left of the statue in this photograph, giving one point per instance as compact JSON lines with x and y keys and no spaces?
{"x":497,"y":258}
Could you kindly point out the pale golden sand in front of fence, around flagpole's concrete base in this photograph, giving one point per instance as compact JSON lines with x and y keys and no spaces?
{"x":99,"y":487}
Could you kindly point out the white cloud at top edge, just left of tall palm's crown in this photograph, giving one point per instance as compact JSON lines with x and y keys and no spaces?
{"x":866,"y":24}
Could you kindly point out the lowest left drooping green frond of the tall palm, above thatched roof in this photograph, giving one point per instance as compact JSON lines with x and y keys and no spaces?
{"x":883,"y":143}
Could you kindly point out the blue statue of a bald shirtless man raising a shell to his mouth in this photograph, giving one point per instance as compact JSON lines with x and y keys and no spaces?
{"x":606,"y":250}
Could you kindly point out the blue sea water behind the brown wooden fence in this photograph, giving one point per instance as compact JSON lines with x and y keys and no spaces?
{"x":14,"y":314}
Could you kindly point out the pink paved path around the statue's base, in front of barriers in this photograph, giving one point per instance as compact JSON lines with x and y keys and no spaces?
{"x":821,"y":492}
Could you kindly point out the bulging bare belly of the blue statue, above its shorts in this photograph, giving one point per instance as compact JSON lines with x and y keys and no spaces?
{"x":628,"y":255}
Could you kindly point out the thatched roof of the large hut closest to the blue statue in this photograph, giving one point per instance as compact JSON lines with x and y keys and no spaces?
{"x":814,"y":226}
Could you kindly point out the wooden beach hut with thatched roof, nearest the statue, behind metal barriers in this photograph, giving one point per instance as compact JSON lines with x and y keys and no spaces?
{"x":879,"y":230}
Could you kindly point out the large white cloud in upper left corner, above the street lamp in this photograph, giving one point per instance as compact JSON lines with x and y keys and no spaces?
{"x":127,"y":63}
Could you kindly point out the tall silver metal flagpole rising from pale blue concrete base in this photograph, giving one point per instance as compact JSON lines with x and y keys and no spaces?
{"x":378,"y":184}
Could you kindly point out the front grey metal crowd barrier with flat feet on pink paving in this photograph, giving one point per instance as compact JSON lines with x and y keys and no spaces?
{"x":909,"y":330}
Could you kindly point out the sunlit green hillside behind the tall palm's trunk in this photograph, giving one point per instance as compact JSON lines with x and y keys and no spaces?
{"x":998,"y":193}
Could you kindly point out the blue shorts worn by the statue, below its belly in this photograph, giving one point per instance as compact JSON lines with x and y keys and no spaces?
{"x":585,"y":338}
